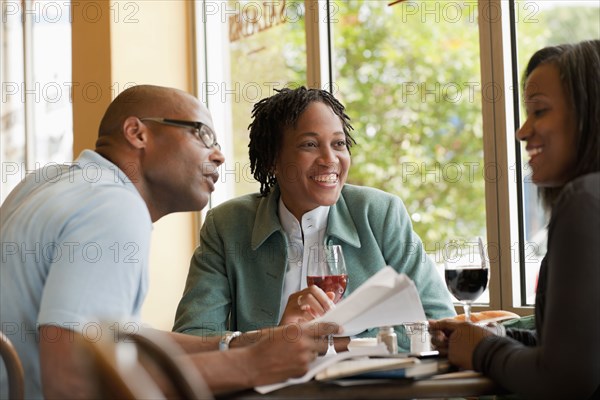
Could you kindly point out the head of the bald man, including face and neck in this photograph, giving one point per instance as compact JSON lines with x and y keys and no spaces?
{"x":170,"y":165}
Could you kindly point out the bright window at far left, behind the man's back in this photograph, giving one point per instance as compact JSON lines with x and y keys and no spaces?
{"x":37,"y":126}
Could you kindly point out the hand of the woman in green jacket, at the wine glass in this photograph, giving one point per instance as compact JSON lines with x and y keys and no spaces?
{"x":307,"y":305}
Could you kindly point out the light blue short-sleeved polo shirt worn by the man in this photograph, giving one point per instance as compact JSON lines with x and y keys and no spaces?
{"x":75,"y":242}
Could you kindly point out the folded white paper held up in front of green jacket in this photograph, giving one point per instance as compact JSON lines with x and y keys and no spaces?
{"x":387,"y":298}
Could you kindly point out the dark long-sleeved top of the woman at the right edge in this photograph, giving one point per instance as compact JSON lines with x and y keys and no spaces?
{"x":565,"y":363}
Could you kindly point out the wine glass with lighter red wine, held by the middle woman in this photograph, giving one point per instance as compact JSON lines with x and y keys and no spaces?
{"x":329,"y":273}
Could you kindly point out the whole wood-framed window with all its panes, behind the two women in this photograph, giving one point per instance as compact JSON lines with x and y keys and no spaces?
{"x":433,"y":90}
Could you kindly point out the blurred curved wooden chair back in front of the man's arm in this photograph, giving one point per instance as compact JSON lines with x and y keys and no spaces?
{"x":145,"y":365}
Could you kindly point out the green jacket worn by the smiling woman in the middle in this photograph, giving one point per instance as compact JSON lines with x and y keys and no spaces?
{"x":236,"y":275}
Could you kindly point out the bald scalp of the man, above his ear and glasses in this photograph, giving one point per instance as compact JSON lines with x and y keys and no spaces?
{"x":142,"y":101}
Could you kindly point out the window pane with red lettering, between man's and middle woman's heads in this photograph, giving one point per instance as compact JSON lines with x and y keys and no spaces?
{"x":254,"y":48}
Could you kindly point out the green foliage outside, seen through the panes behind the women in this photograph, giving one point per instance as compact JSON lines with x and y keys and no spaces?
{"x":411,"y":83}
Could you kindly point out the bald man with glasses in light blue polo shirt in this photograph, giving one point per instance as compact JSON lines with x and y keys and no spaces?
{"x":76,"y":241}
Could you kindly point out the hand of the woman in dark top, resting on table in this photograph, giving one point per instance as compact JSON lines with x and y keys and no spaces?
{"x":457,"y":340}
